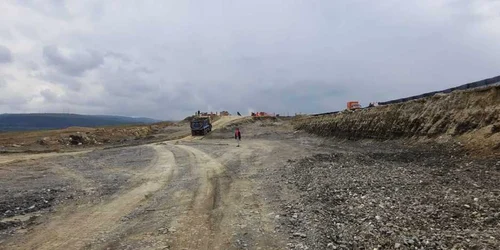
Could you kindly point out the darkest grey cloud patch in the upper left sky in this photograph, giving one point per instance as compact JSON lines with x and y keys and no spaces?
{"x":74,"y":64}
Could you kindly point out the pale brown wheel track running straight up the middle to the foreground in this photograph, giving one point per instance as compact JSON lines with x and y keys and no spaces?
{"x":226,"y":212}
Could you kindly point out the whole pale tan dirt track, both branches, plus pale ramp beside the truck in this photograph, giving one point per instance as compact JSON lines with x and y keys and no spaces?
{"x":184,"y":199}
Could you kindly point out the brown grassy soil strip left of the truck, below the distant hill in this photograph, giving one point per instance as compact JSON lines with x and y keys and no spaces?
{"x":77,"y":138}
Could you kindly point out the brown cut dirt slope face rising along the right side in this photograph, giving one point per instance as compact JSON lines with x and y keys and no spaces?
{"x":472,"y":116}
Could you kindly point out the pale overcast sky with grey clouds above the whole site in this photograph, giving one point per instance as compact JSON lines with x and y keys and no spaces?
{"x":168,"y":59}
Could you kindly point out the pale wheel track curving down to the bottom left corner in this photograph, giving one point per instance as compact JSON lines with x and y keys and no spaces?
{"x":79,"y":228}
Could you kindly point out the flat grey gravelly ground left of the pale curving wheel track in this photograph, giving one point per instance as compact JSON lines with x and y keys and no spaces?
{"x":33,"y":187}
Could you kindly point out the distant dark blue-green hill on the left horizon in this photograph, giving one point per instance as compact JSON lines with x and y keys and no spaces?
{"x":25,"y":122}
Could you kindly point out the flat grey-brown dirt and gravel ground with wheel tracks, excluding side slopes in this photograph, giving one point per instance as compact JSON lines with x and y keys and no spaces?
{"x":280,"y":190}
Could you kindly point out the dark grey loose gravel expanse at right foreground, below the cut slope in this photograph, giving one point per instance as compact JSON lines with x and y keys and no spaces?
{"x":413,"y":199}
